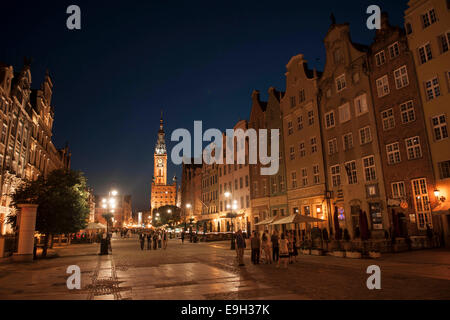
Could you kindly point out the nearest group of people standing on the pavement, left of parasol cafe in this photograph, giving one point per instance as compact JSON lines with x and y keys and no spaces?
{"x":279,"y":249}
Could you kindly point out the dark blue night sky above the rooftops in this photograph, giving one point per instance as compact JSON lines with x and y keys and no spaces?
{"x":196,"y":60}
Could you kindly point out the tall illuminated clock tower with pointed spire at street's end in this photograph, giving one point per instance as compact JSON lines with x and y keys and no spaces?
{"x":162,"y":193}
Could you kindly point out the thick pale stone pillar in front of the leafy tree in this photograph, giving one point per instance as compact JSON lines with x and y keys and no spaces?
{"x":26,"y":233}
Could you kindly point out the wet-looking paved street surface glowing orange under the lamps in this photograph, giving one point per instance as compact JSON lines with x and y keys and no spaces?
{"x":209,"y":271}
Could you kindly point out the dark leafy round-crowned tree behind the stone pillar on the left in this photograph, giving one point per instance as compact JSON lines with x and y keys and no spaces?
{"x":62,"y":199}
